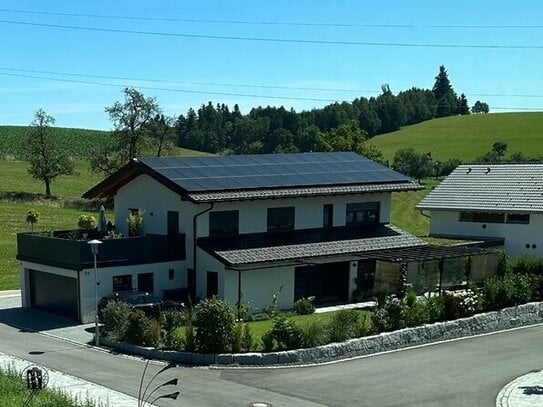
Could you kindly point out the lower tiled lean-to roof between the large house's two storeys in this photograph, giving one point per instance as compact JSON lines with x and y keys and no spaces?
{"x":264,"y":248}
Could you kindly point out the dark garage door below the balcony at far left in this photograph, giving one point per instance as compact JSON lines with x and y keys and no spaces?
{"x":54,"y":293}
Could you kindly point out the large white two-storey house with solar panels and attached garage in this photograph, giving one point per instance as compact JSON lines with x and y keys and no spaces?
{"x":240,"y":227}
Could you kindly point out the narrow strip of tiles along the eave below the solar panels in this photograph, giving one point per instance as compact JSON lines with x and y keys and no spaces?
{"x":302,"y":192}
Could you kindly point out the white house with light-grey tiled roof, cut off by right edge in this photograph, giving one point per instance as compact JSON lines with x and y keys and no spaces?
{"x":503,"y":202}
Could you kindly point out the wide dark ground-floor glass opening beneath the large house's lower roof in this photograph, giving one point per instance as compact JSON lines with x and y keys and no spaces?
{"x":328,"y":283}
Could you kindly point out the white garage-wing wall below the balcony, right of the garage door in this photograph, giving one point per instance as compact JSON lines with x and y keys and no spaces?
{"x":105,"y":276}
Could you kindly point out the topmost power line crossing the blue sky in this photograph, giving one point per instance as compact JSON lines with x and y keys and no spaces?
{"x":282,"y":23}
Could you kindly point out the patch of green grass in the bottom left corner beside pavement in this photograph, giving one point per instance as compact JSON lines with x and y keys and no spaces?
{"x":14,"y":393}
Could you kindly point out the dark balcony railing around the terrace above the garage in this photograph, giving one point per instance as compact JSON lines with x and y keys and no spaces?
{"x":65,"y":250}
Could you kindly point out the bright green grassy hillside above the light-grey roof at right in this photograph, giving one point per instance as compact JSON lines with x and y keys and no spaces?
{"x":468,"y":137}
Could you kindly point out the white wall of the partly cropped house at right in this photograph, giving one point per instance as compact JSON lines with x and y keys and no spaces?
{"x":517,"y":236}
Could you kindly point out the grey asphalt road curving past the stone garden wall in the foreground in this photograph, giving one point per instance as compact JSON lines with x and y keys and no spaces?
{"x":467,"y":372}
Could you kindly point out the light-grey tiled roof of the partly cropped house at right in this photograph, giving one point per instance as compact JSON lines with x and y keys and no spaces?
{"x":489,"y":187}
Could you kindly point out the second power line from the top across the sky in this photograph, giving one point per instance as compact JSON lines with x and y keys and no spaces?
{"x":276,"y":40}
